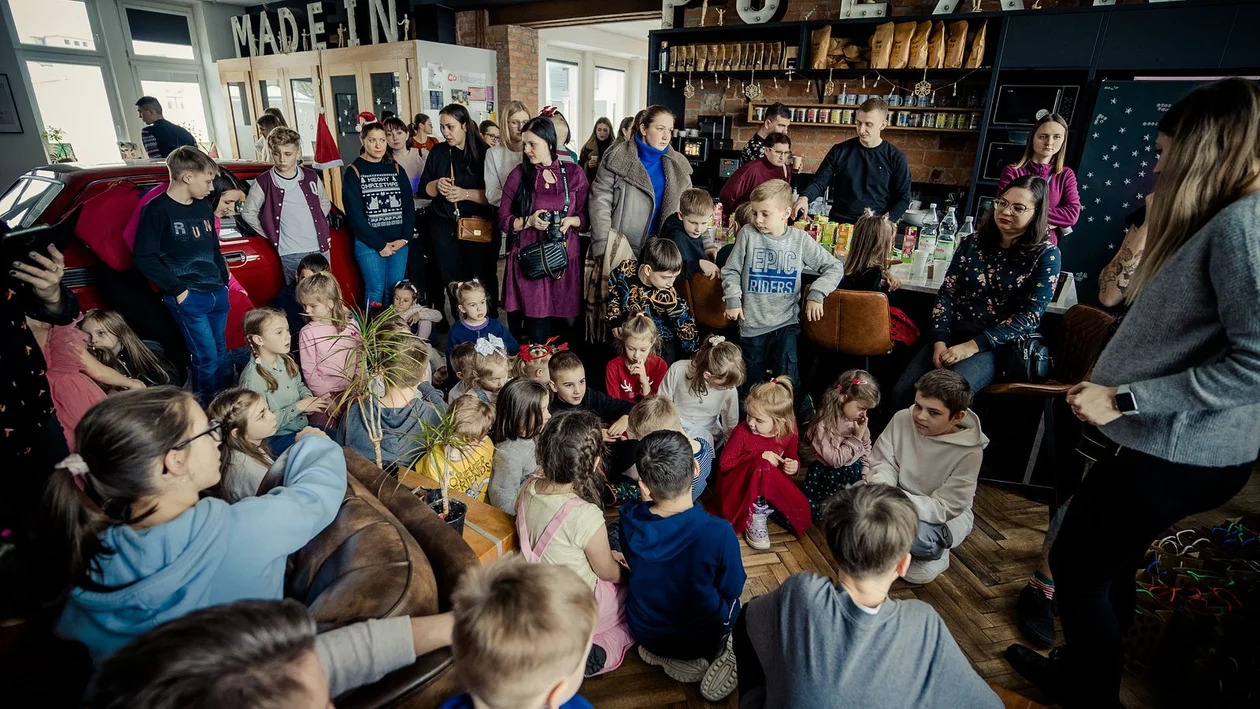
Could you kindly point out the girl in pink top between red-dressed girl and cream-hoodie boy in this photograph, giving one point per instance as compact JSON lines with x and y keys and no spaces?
{"x":841,"y":438}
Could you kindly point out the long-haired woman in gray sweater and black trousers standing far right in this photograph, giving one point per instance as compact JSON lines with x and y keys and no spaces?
{"x":1177,"y":390}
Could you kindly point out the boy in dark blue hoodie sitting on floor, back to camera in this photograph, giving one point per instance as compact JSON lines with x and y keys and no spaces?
{"x":686,"y":575}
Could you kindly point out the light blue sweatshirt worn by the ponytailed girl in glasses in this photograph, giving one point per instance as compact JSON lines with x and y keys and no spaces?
{"x":212,"y":555}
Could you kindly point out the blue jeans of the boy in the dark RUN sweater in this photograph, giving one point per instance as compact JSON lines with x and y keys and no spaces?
{"x":203,"y":318}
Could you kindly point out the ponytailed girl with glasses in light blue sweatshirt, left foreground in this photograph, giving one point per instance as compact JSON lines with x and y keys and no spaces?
{"x":134,"y":543}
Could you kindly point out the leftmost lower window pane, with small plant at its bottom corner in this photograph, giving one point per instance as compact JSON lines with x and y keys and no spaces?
{"x":74,"y":103}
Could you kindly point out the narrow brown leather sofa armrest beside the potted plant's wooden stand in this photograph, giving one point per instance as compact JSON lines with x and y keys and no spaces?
{"x":449,"y":556}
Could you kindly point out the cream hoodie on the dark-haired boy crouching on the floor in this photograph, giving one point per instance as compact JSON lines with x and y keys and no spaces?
{"x":939,"y":473}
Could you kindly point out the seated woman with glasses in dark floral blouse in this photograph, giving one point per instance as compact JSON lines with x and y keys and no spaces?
{"x":995,"y":293}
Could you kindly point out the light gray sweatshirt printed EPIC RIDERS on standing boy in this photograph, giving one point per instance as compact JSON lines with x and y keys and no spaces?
{"x":763,"y":276}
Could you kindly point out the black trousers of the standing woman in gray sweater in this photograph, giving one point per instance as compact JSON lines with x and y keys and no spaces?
{"x":1123,"y":506}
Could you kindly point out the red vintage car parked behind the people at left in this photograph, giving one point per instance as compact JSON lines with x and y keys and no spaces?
{"x":47,"y":195}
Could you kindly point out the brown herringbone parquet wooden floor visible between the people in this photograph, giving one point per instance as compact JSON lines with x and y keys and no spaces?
{"x":977,"y":598}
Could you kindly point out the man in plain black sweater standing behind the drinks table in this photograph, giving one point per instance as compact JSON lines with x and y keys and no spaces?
{"x":864,"y":173}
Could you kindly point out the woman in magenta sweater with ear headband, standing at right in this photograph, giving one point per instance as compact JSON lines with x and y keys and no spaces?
{"x":1044,"y":158}
